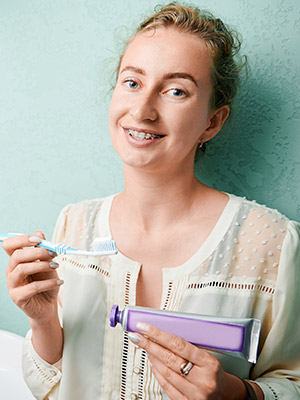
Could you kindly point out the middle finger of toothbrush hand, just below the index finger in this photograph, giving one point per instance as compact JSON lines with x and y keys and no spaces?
{"x":21,"y":256}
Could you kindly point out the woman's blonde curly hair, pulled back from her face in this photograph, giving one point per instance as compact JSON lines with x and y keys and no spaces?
{"x":223,"y":43}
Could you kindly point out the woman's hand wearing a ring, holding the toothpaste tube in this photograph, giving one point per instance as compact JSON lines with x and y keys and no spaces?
{"x":168,"y":355}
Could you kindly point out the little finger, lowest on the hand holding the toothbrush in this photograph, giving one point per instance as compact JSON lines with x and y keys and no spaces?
{"x":22,"y":294}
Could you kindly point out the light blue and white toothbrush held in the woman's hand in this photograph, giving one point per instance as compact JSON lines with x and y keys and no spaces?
{"x":101,"y":246}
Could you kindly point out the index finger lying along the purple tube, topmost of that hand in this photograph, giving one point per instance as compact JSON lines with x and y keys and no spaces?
{"x":177,"y":345}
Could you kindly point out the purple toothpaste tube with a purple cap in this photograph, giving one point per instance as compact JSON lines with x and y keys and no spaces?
{"x":235,"y":336}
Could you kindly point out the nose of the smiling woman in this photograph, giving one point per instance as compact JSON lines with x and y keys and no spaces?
{"x":144,"y":108}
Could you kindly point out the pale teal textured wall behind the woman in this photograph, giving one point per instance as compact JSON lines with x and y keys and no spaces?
{"x":56,"y":60}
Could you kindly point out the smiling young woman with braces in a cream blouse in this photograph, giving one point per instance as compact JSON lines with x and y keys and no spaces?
{"x":182,"y":245}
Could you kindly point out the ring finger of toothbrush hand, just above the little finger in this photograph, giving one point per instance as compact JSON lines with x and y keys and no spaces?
{"x":22,"y":271}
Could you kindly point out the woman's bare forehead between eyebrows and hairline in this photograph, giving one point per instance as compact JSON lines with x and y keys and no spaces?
{"x":168,"y":50}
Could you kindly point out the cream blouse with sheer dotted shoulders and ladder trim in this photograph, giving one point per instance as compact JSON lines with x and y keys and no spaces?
{"x":249,"y":266}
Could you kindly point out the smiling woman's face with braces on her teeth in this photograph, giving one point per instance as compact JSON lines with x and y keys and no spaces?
{"x":160,"y":107}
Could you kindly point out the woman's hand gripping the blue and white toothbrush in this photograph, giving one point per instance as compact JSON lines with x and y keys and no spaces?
{"x":32,"y":279}
